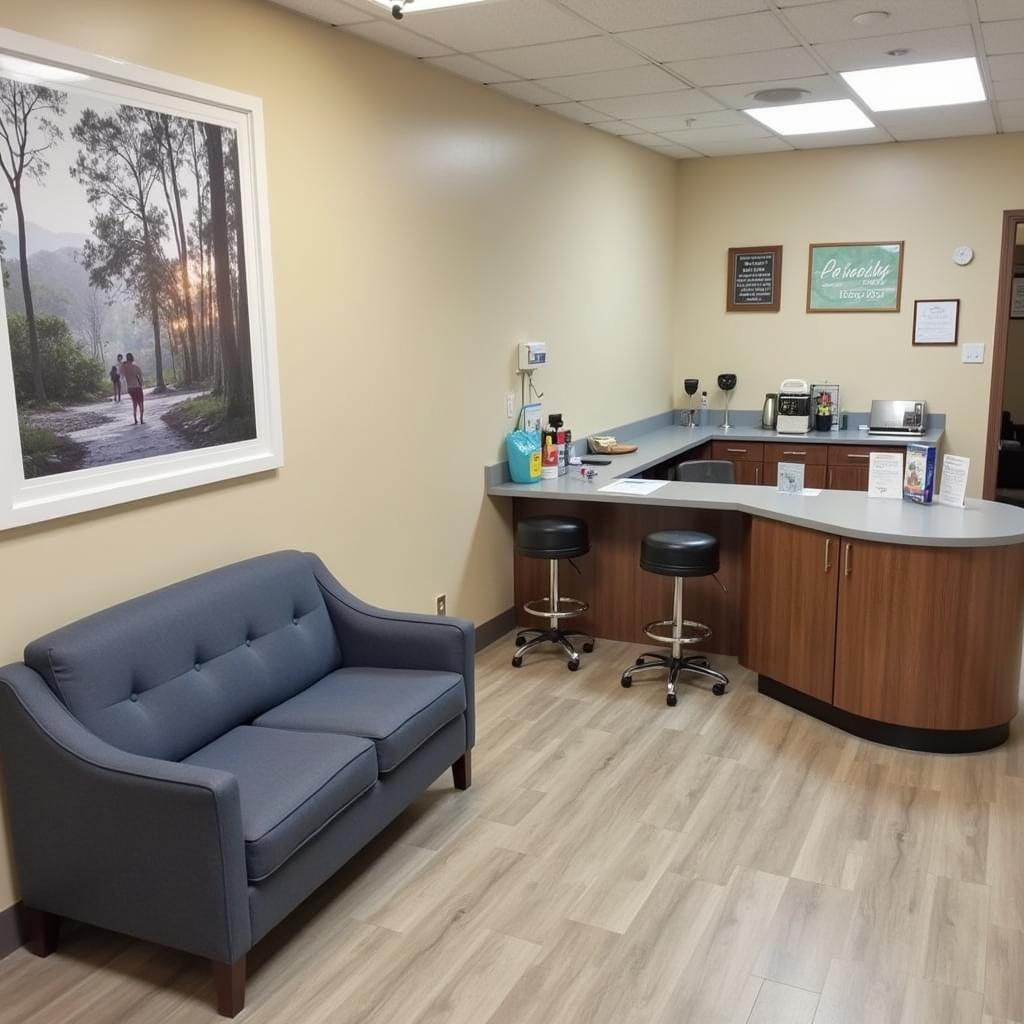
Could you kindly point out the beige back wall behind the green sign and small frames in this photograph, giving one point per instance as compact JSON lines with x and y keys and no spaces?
{"x":932,"y":195}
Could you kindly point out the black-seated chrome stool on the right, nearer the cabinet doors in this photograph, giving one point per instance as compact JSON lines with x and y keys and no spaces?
{"x":679,"y":553}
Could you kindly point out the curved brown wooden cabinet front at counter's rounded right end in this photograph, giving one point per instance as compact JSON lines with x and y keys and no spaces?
{"x":929,"y":637}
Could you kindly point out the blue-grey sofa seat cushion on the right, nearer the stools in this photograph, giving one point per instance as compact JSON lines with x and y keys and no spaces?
{"x":399,"y":709}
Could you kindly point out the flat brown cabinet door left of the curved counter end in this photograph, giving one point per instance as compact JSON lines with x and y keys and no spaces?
{"x":790,"y":633}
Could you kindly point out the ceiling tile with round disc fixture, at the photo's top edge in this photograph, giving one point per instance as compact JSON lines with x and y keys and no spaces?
{"x":829,"y":23}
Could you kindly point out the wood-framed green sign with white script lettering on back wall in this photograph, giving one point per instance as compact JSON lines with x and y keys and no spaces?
{"x":856,"y":278}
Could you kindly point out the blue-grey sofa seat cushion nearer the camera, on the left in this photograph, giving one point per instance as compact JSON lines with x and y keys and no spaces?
{"x":291,"y":785}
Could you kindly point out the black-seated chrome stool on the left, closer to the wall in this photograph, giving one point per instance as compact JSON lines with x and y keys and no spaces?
{"x":552,"y":538}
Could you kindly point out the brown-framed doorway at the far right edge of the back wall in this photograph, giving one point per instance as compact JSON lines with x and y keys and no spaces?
{"x":1005,"y":442}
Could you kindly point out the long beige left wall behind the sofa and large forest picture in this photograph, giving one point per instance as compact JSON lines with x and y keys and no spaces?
{"x":421,"y":227}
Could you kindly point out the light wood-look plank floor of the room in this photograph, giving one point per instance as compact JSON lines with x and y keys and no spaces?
{"x":727,"y":862}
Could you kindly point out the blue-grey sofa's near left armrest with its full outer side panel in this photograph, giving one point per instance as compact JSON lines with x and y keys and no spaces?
{"x":151,"y":848}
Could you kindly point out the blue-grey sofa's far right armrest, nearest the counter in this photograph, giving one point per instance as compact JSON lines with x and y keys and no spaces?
{"x":377,"y":638}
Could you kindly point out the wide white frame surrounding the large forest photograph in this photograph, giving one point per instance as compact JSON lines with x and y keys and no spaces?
{"x":108,"y":81}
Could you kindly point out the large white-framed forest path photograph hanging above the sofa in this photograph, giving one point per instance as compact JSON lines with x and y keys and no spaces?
{"x":138,"y":351}
